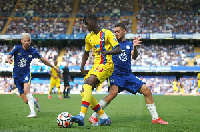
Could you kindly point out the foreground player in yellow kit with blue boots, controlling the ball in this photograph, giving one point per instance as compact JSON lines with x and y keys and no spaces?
{"x":104,"y":44}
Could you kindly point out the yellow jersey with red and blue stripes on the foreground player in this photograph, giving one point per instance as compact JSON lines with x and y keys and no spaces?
{"x":105,"y":40}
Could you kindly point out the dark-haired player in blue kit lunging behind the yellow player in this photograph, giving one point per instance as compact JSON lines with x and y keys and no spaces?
{"x":123,"y":79}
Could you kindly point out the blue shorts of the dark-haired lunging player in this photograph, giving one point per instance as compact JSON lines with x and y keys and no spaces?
{"x":129,"y":83}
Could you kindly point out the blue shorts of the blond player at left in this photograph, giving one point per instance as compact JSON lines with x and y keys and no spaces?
{"x":19,"y":82}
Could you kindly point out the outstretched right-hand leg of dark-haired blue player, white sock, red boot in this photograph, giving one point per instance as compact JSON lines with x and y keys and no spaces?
{"x":151,"y":105}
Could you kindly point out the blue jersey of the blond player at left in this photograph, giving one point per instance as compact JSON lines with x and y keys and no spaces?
{"x":22,"y":60}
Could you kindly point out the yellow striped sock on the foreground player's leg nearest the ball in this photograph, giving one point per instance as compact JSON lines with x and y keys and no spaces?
{"x":86,"y":97}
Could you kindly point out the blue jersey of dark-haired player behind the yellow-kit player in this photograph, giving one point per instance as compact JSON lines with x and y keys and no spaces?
{"x":122,"y":62}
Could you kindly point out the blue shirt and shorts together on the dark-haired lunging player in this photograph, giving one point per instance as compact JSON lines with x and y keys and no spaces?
{"x":122,"y":75}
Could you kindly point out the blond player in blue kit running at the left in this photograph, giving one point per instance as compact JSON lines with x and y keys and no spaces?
{"x":23,"y":55}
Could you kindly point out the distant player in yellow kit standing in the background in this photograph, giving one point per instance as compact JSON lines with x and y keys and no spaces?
{"x":54,"y":81}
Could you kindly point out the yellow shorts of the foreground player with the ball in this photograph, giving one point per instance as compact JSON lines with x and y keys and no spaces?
{"x":101,"y":71}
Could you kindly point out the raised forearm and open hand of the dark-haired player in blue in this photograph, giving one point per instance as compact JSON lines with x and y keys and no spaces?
{"x":134,"y":52}
